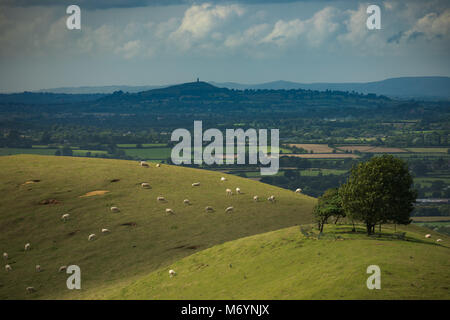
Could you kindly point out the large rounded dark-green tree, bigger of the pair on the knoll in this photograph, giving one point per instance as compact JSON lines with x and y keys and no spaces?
{"x":379,"y":191}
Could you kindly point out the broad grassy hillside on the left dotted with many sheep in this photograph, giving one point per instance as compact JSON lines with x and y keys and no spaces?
{"x":143,"y":237}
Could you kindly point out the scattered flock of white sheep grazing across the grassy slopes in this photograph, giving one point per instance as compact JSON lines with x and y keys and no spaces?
{"x":114,"y":209}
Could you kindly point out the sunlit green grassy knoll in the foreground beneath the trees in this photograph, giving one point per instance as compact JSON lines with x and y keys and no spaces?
{"x":284,"y":264}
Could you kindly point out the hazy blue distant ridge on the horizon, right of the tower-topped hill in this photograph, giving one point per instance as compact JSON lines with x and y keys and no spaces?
{"x":404,"y":87}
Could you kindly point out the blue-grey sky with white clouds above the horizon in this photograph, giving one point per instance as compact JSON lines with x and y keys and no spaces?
{"x":156,"y":42}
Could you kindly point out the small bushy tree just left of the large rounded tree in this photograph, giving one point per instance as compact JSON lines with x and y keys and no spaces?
{"x":328,"y":205}
